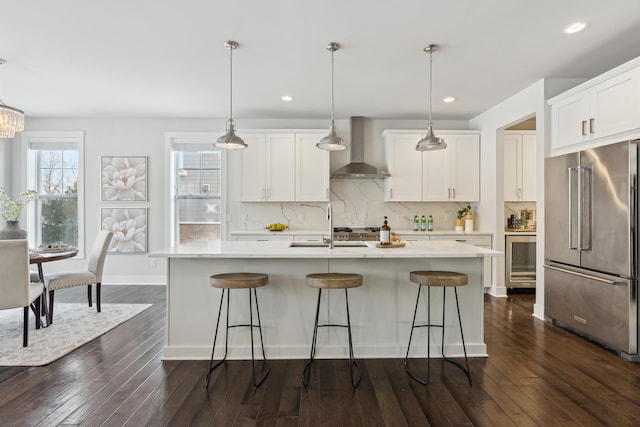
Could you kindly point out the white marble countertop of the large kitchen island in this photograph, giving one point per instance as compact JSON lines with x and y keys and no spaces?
{"x":280,"y":249}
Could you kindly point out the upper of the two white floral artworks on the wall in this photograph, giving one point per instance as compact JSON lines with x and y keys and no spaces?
{"x":124,"y":179}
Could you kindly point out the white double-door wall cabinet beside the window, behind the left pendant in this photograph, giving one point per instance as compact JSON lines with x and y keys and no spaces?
{"x":267,"y":171}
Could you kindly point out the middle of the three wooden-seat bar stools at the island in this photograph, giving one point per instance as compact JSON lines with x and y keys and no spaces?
{"x":332,"y":281}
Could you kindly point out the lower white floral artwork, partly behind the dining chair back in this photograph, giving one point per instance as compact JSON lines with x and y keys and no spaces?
{"x":129,"y":226}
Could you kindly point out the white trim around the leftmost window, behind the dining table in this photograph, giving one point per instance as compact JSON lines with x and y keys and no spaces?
{"x":28,"y":179}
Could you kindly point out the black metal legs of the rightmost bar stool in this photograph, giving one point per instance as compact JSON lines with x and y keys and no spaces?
{"x":428,"y":325}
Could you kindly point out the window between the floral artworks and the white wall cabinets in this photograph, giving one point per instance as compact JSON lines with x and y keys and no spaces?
{"x":196,"y":200}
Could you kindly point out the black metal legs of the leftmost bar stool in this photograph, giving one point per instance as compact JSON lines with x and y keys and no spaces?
{"x":212,"y":366}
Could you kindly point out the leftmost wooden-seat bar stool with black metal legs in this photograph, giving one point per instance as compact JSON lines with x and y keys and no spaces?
{"x":226,"y":282}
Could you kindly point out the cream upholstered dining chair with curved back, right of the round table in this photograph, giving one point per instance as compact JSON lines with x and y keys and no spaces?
{"x":93,"y":274}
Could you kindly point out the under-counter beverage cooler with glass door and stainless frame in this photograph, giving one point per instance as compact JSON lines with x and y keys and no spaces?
{"x":520,"y":255}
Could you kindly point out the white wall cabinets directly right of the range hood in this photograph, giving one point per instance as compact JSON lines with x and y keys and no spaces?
{"x":452,"y":174}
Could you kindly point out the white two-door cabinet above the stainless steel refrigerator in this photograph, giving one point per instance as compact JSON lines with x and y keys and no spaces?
{"x":599,"y":108}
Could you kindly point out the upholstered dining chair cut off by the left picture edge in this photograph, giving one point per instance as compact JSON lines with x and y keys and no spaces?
{"x":15,"y":287}
